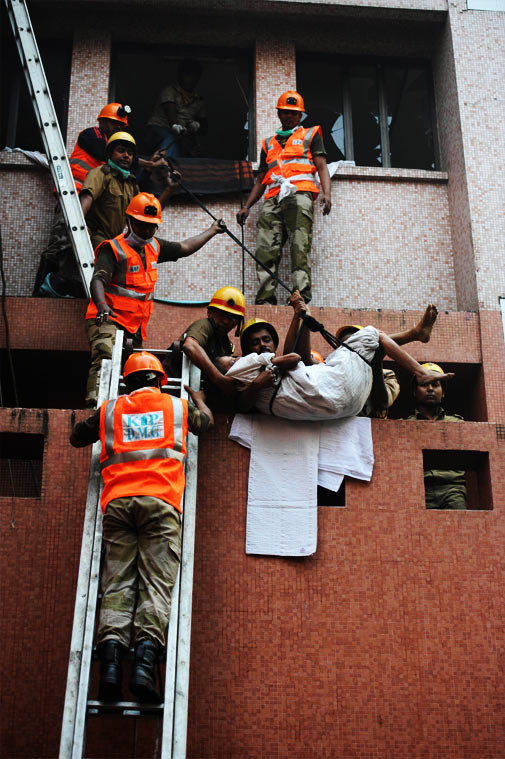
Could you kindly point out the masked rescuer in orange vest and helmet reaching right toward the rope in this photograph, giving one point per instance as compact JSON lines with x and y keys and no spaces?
{"x":122,"y":287}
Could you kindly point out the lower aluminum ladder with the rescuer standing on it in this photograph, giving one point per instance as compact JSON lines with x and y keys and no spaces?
{"x":173,"y":712}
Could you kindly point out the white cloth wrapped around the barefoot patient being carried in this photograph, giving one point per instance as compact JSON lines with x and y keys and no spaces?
{"x":333,"y":390}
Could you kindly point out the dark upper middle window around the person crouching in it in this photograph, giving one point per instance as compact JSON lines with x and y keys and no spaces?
{"x":225,"y":85}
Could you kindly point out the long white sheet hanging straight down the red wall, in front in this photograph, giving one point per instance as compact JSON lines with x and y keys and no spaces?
{"x":282,"y":494}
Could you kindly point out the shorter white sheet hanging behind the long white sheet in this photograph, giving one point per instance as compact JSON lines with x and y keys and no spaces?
{"x":345,"y":447}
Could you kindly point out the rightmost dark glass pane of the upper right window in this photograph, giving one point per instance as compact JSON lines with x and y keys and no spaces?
{"x":409,"y":117}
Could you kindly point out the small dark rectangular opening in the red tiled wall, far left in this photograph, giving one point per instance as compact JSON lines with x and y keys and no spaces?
{"x":21,"y":458}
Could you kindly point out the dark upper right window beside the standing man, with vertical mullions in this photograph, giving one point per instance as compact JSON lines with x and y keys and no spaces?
{"x":376,"y":112}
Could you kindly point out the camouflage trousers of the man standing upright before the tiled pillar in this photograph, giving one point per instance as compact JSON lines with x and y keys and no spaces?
{"x":289,"y":220}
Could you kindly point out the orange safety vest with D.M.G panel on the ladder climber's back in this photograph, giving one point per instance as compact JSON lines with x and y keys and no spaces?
{"x":143,"y":438}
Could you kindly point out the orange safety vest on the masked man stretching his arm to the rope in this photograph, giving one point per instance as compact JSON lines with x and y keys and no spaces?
{"x":130,"y":293}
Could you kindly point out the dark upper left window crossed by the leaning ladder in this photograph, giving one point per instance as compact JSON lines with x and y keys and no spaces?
{"x":18,"y":127}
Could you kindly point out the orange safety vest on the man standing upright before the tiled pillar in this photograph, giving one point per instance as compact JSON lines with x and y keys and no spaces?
{"x":293,"y":161}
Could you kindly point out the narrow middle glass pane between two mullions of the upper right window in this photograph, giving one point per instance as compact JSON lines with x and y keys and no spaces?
{"x":365,"y":115}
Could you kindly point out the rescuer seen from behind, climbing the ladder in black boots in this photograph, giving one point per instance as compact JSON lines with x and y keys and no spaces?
{"x":143,"y":438}
